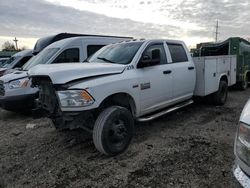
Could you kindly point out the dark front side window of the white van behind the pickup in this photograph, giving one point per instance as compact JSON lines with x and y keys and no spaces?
{"x":67,"y":56}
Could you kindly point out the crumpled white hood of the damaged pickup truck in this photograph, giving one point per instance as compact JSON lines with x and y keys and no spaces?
{"x":66,"y":72}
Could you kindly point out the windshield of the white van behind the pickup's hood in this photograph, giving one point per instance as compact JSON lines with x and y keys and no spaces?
{"x":41,"y":58}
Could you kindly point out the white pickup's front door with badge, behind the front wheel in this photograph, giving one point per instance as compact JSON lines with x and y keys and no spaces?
{"x":155,"y":81}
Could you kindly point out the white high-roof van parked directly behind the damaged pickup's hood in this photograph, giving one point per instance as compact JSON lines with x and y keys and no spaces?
{"x":15,"y":91}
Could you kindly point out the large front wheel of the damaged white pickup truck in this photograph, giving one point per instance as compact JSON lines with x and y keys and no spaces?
{"x":113,"y":130}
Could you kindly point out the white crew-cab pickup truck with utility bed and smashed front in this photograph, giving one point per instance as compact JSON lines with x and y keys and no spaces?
{"x":127,"y":81}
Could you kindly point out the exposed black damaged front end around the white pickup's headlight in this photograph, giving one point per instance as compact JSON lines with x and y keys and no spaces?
{"x":48,"y":103}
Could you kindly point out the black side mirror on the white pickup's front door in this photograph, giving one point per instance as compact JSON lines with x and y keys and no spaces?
{"x":147,"y":61}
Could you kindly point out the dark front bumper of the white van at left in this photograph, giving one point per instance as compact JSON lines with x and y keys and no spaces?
{"x":20,"y":102}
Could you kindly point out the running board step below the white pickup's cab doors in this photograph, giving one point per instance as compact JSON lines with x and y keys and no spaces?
{"x":165,"y":111}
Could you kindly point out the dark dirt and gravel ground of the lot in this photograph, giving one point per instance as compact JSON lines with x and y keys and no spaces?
{"x":192,"y":147}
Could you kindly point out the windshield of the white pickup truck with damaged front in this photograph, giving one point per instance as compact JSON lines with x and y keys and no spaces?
{"x":120,"y":53}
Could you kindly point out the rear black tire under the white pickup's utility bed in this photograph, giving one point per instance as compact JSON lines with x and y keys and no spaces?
{"x":220,"y":97}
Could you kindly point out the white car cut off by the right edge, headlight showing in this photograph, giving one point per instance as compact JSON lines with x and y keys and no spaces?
{"x":242,"y":148}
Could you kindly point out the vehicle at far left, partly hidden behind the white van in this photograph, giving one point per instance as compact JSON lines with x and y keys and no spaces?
{"x":15,"y":61}
